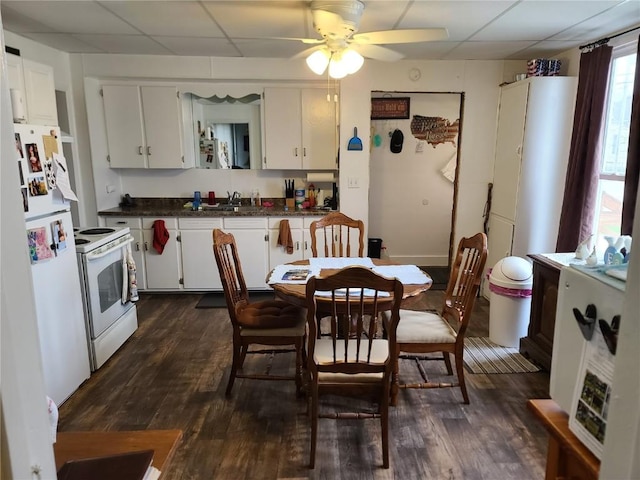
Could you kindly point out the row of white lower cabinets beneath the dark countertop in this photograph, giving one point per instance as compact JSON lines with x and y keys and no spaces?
{"x":187,"y":261}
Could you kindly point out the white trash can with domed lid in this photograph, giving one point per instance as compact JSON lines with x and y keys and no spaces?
{"x":510,"y":282}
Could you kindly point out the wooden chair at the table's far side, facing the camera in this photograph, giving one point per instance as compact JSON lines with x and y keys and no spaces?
{"x":339,"y":233}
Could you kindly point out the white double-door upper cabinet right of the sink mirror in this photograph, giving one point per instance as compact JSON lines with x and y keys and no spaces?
{"x":299,"y":129}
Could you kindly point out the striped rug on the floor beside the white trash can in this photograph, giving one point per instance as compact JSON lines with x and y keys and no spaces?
{"x":481,"y":355}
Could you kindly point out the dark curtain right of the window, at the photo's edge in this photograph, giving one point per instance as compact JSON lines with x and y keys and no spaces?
{"x":632,"y":176}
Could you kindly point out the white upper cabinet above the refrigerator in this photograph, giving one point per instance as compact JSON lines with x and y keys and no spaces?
{"x":37,"y":89}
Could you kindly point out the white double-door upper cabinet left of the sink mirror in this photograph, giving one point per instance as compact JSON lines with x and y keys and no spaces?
{"x":143,"y":126}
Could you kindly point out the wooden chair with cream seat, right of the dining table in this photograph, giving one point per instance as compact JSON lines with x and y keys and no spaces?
{"x":424,"y":332}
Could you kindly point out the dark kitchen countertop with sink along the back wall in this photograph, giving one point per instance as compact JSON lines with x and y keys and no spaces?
{"x":164,"y":207}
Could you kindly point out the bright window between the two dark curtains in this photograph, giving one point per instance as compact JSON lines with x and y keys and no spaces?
{"x":615,"y":142}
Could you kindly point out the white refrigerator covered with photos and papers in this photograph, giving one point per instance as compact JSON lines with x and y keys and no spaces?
{"x":54,"y":268}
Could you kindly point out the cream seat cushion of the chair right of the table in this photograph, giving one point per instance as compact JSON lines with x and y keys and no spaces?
{"x":423,"y":327}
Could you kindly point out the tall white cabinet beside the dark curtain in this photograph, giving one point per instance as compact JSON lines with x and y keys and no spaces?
{"x":535,"y":122}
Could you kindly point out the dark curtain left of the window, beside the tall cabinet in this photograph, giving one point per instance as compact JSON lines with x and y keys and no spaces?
{"x":580,"y":191}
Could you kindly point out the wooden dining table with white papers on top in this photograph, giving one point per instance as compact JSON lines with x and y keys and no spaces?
{"x":414,"y":280}
